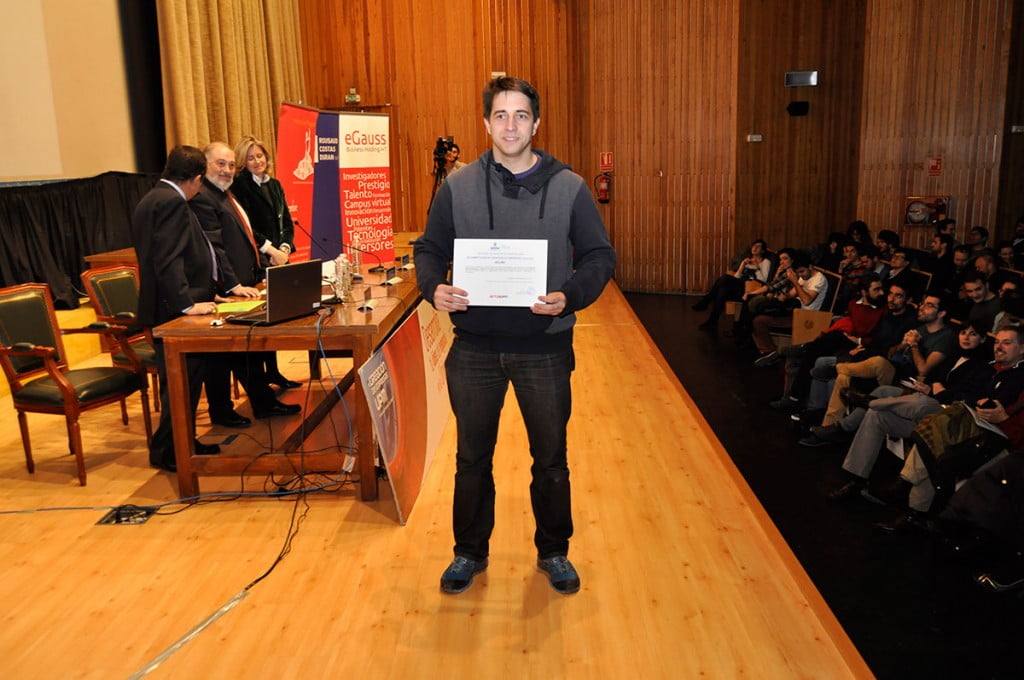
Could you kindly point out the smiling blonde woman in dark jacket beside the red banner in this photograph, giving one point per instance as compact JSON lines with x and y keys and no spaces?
{"x":264,"y":200}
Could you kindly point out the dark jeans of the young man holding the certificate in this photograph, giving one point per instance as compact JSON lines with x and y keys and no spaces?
{"x":478,"y":382}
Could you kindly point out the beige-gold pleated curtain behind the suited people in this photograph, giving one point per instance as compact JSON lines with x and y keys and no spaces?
{"x":228,"y":65}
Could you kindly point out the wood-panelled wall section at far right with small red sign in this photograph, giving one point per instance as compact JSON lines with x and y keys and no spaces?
{"x":948,"y":101}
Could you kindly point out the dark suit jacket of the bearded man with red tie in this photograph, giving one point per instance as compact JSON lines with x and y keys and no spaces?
{"x":230,"y":237}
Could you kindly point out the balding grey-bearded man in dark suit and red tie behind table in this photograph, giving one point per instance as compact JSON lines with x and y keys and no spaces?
{"x":228,"y":228}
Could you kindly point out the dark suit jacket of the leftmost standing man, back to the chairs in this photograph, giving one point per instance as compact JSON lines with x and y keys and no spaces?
{"x":175,"y":262}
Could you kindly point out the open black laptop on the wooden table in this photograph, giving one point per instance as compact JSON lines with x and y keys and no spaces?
{"x":292,"y":291}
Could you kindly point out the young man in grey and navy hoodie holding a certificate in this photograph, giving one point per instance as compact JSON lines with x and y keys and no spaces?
{"x":528,"y":248}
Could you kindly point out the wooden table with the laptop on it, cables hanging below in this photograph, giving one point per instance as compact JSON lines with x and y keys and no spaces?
{"x":347,"y":329}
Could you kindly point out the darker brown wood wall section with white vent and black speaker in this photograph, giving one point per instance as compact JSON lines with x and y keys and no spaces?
{"x":801,"y":183}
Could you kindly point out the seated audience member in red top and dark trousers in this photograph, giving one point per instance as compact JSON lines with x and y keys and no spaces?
{"x":854,"y":330}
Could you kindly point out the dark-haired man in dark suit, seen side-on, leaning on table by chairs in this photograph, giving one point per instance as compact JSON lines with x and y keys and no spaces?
{"x":178,"y":276}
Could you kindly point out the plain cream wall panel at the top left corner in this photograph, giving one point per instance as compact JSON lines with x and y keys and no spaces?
{"x":63,"y":80}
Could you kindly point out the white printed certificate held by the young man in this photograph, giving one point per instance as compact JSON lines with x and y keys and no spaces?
{"x":501,"y":273}
